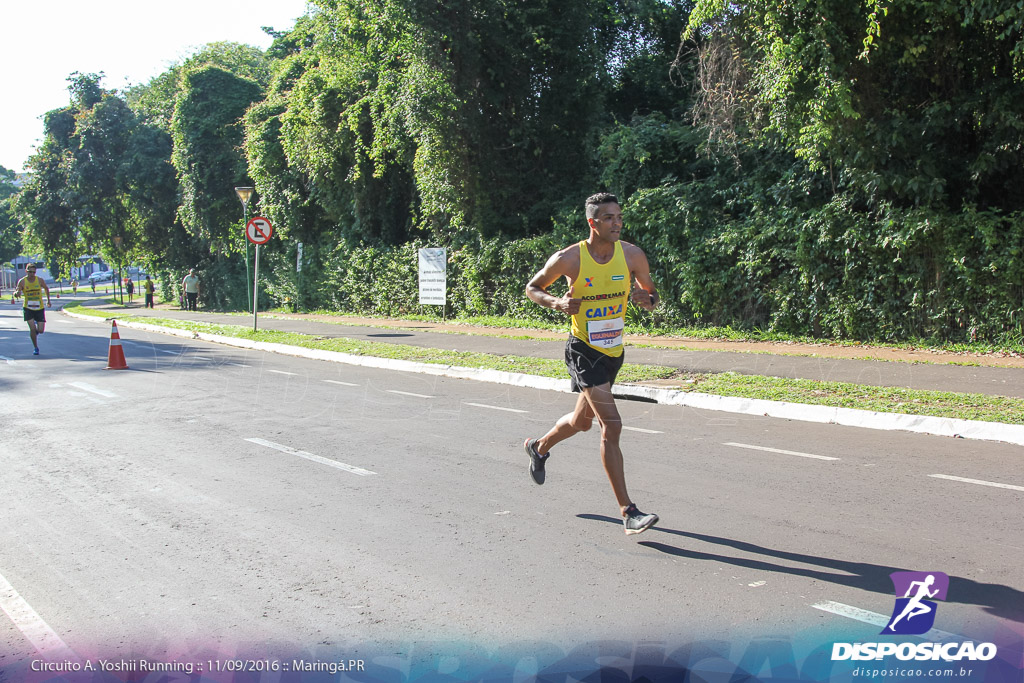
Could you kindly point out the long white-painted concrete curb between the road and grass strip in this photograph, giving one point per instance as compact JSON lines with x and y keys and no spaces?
{"x":969,"y":430}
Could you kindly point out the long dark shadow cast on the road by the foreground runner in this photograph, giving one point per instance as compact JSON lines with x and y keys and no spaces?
{"x":996,"y":600}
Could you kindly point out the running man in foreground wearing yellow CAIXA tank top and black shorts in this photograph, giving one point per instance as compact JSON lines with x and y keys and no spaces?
{"x":601,"y":271}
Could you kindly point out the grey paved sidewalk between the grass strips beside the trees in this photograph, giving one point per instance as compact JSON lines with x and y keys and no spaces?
{"x":1005,"y":381}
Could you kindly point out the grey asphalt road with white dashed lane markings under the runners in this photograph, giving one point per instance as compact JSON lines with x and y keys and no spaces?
{"x":211,"y":502}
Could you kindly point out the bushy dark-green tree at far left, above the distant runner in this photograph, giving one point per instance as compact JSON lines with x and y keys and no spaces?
{"x":101,"y":182}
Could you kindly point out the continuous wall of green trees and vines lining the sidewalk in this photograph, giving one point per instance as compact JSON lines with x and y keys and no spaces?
{"x":816,"y":167}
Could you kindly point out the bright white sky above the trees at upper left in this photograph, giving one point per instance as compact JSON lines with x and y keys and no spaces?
{"x":42,"y":42}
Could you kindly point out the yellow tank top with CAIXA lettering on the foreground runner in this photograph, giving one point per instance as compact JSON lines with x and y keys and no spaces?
{"x":605,"y":289}
